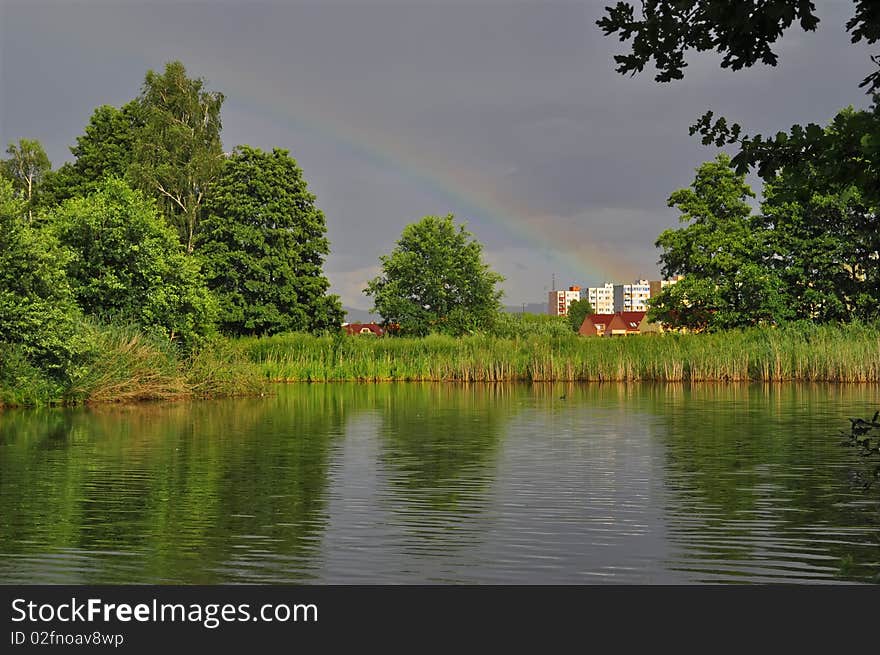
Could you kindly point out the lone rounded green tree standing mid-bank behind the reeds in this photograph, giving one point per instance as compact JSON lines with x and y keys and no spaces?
{"x":435,"y":281}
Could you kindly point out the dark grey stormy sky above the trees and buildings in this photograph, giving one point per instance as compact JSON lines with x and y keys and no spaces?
{"x":506,"y":113}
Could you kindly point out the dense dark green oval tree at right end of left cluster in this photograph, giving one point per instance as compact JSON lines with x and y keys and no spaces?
{"x":264,"y":241}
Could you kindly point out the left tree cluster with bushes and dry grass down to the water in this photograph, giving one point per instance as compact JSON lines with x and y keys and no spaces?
{"x":107,"y":244}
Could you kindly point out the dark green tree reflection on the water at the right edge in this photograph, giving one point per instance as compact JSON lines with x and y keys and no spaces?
{"x":758,"y":472}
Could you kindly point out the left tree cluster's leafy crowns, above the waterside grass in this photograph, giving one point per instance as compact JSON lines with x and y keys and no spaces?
{"x":150,"y":169}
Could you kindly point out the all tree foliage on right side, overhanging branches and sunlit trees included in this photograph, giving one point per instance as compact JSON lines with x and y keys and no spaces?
{"x":813,"y":251}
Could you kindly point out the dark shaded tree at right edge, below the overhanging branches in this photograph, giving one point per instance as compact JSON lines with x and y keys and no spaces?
{"x":822,"y":229}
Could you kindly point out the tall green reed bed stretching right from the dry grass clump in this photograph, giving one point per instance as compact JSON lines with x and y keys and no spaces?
{"x":798,"y":353}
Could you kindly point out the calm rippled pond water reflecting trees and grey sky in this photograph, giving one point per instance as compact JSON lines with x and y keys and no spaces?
{"x":417,"y":483}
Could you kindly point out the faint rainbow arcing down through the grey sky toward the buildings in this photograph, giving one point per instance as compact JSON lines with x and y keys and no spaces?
{"x":469,"y":194}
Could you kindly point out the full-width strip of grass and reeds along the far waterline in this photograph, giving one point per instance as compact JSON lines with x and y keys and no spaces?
{"x":125,"y":366}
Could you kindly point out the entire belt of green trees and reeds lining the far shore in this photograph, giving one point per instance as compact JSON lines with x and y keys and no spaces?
{"x":157,"y":266}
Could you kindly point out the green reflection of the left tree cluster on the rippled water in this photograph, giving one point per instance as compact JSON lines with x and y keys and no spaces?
{"x":194,"y":492}
